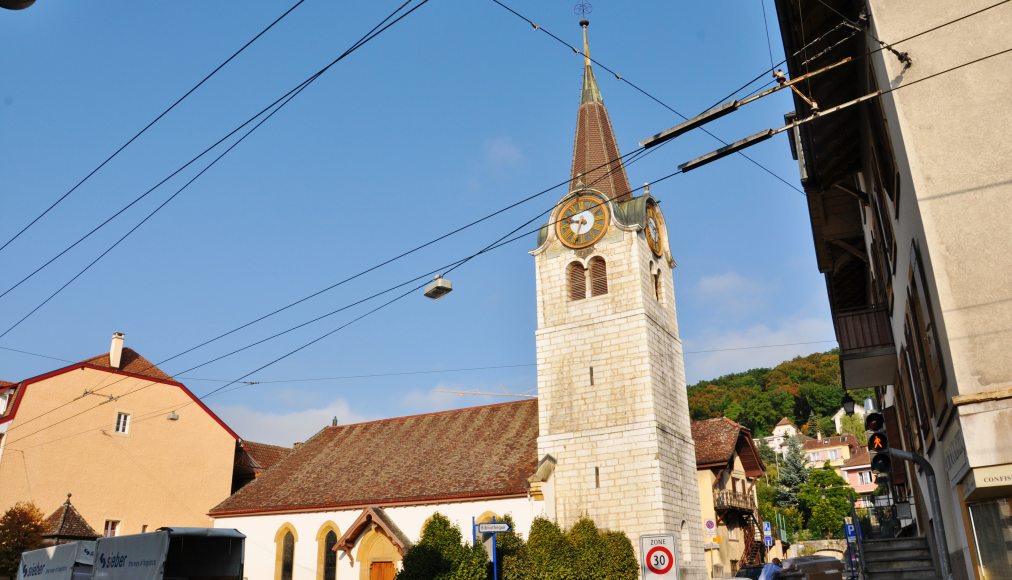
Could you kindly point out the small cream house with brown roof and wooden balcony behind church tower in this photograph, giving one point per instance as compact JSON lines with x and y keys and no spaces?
{"x":728,"y":466}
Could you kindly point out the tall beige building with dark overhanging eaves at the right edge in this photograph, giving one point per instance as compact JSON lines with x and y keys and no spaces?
{"x":910,"y":197}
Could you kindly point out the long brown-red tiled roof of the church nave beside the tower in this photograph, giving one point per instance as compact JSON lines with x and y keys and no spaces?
{"x":478,"y":452}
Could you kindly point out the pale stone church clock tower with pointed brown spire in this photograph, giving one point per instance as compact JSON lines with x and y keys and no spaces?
{"x":614,"y":412}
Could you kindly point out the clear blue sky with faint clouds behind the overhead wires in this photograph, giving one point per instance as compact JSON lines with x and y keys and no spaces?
{"x":458,"y":111}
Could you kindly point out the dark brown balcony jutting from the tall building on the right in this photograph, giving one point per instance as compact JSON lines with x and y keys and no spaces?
{"x":868,"y":352}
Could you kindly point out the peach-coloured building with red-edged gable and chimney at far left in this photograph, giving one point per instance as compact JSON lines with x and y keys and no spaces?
{"x":136,"y":449}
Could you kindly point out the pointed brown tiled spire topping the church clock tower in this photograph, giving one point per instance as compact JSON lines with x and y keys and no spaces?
{"x":596,"y":152}
